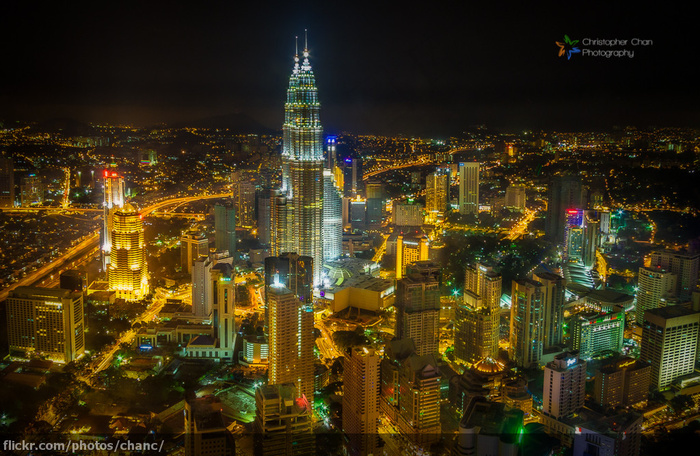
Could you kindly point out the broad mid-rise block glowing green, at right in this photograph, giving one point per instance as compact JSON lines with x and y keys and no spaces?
{"x":598,"y":333}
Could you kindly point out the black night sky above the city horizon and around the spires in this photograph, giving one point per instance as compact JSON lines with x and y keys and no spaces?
{"x":434,"y":69}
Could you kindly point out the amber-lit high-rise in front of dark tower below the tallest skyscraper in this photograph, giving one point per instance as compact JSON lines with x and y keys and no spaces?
{"x":291,"y":341}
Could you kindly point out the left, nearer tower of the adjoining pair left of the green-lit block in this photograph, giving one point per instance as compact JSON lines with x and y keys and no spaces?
{"x":527,"y":322}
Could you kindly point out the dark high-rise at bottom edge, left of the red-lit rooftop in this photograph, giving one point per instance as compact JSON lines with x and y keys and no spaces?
{"x":205,"y":430}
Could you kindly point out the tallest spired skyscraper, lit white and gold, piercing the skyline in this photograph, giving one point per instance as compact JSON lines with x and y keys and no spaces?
{"x":302,"y":164}
